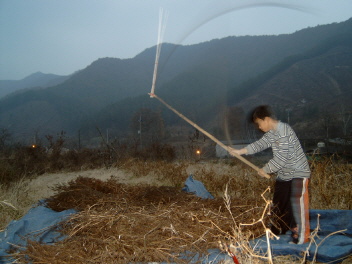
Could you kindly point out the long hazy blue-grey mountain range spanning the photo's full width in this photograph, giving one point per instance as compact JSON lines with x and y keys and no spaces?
{"x":302,"y":72}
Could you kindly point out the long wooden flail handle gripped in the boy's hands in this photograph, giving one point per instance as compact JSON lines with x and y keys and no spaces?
{"x":207,"y":134}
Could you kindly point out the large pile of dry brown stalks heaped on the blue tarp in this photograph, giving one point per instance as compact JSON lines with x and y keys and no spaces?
{"x":117,"y":223}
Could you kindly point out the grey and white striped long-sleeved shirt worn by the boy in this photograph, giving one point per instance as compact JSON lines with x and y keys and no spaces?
{"x":289,"y":160}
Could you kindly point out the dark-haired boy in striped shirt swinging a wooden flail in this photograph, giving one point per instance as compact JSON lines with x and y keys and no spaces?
{"x":290,"y":199}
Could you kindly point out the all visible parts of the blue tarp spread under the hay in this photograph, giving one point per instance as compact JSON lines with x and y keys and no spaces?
{"x":39,"y":224}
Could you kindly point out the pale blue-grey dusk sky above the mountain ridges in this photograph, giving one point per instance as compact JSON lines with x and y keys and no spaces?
{"x":63,"y":36}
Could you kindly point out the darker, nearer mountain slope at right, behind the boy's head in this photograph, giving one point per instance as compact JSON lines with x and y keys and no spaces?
{"x":312,"y":93}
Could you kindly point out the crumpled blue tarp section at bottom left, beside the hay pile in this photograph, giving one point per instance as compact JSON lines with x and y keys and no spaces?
{"x":39,"y":224}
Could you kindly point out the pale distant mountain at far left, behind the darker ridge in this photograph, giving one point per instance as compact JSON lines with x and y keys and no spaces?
{"x":35,"y":80}
